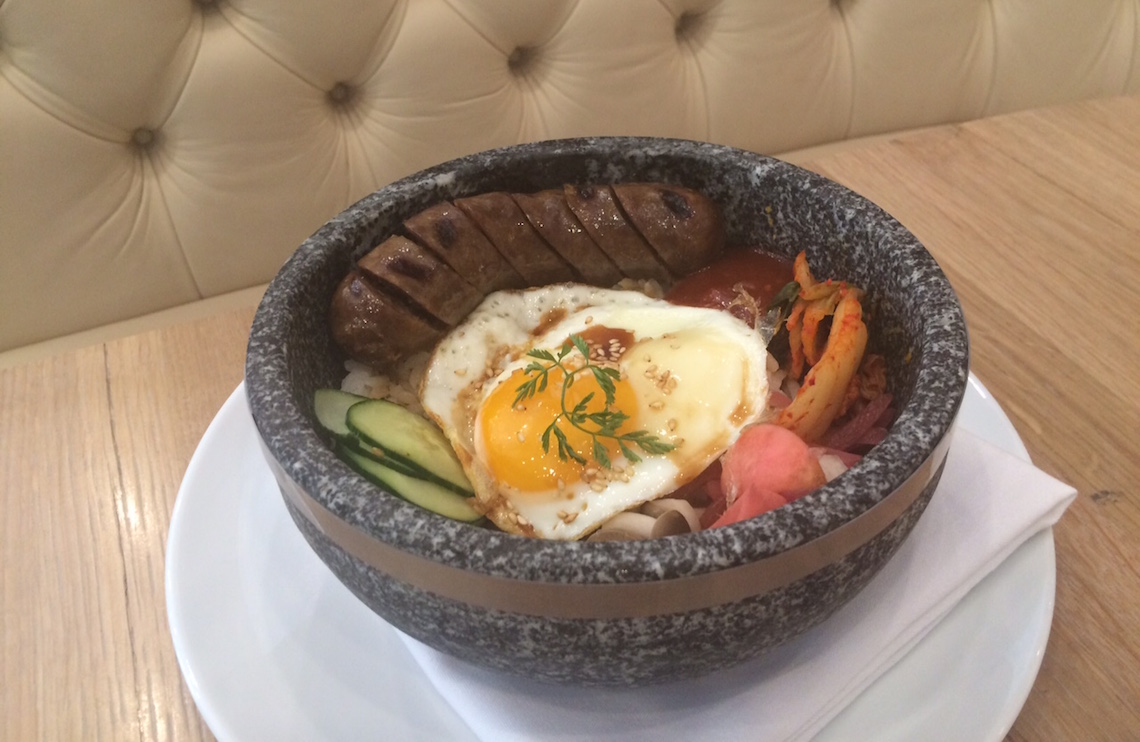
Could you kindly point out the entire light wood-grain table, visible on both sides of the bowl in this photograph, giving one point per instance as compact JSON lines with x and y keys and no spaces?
{"x":1036,"y":217}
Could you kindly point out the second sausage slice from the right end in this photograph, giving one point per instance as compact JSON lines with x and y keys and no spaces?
{"x":598,"y":210}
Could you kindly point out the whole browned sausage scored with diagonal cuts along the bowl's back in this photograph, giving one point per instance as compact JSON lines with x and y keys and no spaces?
{"x":413,"y":287}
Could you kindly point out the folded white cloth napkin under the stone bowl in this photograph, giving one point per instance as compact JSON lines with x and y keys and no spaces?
{"x":988,"y":504}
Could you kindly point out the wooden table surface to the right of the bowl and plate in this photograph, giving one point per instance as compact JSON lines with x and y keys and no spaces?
{"x":1036,"y":218}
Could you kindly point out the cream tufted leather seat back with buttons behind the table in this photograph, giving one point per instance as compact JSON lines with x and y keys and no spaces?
{"x":158,"y":152}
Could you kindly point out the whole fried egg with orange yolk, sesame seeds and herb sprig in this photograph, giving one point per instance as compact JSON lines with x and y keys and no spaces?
{"x":683,"y":382}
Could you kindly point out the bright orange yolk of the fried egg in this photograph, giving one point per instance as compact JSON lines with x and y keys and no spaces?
{"x":512,"y":435}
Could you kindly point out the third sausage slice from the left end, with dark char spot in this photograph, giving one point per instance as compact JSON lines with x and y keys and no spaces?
{"x":449,"y":232}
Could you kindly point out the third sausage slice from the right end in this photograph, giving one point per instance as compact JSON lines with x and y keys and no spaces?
{"x":549,"y":214}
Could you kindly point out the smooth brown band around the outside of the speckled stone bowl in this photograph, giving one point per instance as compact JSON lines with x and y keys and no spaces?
{"x":633,"y":600}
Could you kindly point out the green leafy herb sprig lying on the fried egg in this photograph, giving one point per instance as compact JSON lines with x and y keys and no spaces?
{"x":602,"y":425}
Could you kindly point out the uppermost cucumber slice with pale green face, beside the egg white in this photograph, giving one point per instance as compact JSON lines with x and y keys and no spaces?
{"x":408,"y":438}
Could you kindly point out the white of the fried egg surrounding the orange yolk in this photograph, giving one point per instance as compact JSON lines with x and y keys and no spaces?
{"x":716,"y":363}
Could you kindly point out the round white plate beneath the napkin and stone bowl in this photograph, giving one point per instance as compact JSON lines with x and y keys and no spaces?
{"x":274,"y":648}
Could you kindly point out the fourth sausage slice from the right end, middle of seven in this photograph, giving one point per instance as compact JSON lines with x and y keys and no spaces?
{"x":507,"y":227}
